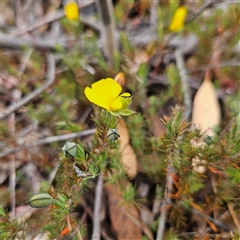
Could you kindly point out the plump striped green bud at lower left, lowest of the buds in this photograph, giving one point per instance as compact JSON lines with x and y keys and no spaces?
{"x":40,"y":200}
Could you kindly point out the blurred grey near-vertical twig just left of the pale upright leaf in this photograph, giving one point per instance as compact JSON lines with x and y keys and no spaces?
{"x":185,"y":84}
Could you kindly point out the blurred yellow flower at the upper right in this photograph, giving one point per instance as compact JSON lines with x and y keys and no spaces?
{"x":178,"y":20}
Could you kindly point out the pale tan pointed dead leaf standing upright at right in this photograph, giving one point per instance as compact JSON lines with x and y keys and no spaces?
{"x":206,"y":108}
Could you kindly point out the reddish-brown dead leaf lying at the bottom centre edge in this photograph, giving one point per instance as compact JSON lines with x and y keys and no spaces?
{"x":123,"y":224}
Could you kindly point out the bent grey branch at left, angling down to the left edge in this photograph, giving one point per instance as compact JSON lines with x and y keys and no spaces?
{"x":49,"y":80}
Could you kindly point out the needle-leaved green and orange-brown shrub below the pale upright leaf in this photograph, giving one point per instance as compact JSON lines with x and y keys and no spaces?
{"x":188,"y":192}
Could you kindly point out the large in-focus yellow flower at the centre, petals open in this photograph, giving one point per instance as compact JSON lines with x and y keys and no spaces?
{"x":105,"y":93}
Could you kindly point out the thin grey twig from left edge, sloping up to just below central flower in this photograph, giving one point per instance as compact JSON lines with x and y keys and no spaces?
{"x":49,"y":140}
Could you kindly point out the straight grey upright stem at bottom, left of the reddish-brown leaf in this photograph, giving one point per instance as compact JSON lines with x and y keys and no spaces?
{"x":97,"y":209}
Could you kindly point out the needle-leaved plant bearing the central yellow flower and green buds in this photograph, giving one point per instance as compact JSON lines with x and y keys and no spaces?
{"x":79,"y":165}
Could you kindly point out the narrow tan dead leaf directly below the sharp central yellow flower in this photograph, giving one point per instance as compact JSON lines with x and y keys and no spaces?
{"x":129,"y":158}
